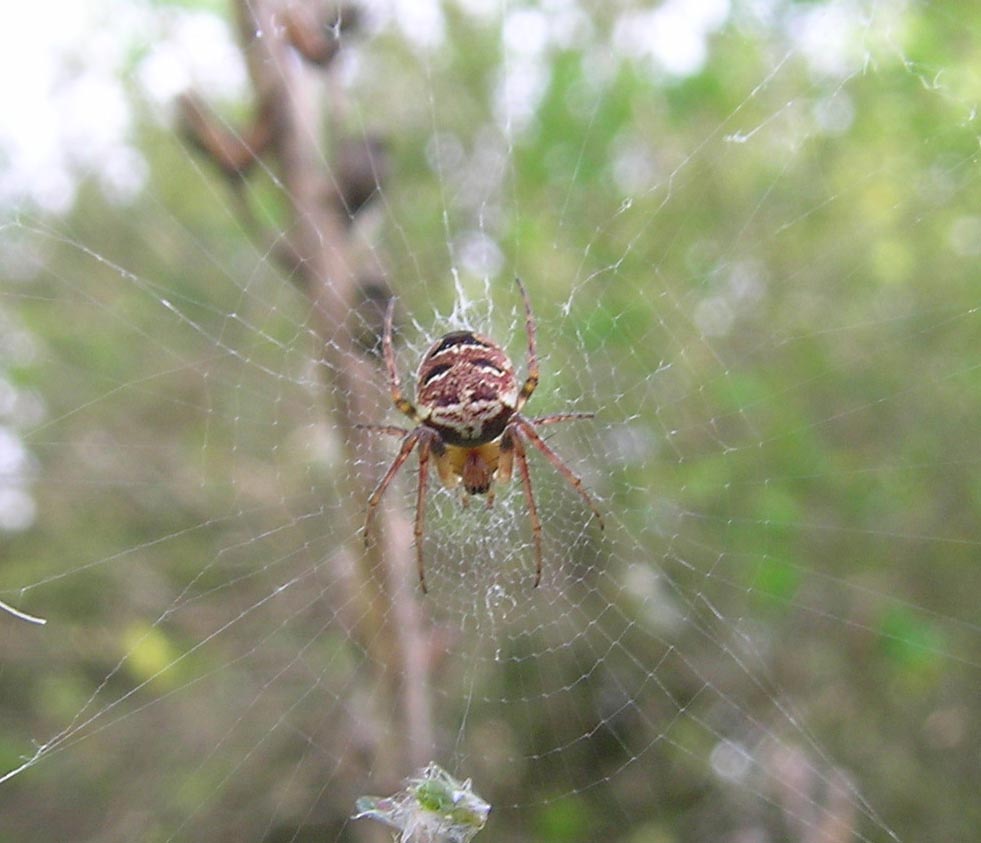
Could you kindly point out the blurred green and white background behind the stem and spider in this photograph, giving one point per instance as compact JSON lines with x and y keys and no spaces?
{"x":751,"y":231}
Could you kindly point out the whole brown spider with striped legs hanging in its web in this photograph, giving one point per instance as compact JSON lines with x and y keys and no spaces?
{"x":467,"y":415}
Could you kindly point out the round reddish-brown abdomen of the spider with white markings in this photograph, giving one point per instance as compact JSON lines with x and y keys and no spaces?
{"x":466,"y":389}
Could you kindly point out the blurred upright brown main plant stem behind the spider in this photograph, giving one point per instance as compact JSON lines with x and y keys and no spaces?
{"x":392,"y":627}
